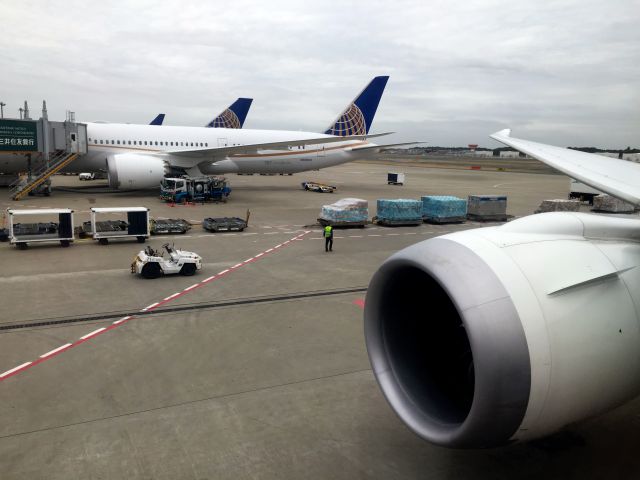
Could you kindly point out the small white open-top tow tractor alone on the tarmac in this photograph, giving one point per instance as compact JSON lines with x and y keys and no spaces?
{"x":151,"y":263}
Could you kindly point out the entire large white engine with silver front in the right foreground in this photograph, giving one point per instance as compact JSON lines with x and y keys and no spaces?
{"x":489,"y":336}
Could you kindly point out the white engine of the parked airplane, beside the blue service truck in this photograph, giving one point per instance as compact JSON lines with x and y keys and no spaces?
{"x":132,"y":171}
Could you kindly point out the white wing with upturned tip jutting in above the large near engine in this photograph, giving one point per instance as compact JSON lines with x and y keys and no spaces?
{"x":618,"y":178}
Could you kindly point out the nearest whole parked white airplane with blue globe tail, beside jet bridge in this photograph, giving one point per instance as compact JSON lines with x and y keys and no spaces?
{"x":139,"y":156}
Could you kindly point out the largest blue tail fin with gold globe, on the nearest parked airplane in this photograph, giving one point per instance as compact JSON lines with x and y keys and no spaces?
{"x":357,"y":117}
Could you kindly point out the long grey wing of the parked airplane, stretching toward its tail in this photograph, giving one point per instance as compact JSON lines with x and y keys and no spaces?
{"x":192,"y":157}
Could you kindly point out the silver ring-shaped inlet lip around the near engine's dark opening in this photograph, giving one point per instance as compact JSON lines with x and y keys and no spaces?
{"x":494,"y":330}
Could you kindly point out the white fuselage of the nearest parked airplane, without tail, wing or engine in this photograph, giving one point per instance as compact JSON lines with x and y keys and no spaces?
{"x":105,"y":139}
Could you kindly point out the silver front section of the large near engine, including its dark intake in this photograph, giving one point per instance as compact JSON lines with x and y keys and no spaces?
{"x":447,"y":346}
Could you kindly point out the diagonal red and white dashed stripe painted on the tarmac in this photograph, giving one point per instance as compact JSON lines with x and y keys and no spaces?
{"x":117,"y":323}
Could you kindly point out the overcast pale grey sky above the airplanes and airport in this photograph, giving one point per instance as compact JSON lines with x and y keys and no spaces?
{"x":563,"y":72}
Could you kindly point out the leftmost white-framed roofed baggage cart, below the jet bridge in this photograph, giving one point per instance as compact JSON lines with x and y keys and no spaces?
{"x":20,"y":234}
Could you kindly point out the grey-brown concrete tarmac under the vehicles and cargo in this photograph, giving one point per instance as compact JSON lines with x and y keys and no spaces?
{"x":258,"y":372}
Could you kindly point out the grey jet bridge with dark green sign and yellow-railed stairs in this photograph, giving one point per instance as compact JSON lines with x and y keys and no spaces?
{"x":48,"y":147}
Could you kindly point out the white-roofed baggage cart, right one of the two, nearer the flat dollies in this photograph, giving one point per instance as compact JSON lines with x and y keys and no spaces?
{"x":136,"y":226}
